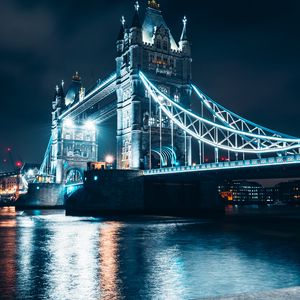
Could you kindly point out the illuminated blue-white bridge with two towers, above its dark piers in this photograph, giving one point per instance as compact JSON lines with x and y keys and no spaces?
{"x":163,"y":122}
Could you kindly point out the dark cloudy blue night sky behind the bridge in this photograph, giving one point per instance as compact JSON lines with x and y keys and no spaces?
{"x":246,"y":55}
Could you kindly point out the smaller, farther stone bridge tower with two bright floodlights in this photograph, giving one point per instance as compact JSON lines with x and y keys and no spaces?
{"x":73,"y":141}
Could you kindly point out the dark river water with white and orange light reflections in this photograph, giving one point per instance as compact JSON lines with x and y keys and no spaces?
{"x":46,"y":255}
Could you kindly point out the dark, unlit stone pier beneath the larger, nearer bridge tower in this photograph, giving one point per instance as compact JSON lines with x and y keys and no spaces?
{"x":116,"y":192}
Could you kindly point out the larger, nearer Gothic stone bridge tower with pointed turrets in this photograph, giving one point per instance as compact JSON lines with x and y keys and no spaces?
{"x":149,"y":46}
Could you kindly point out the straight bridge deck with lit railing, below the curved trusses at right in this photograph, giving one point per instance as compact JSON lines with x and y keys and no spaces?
{"x":279,"y":167}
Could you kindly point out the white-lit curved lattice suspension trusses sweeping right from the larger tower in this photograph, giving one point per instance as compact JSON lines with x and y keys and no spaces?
{"x":224,"y":129}
